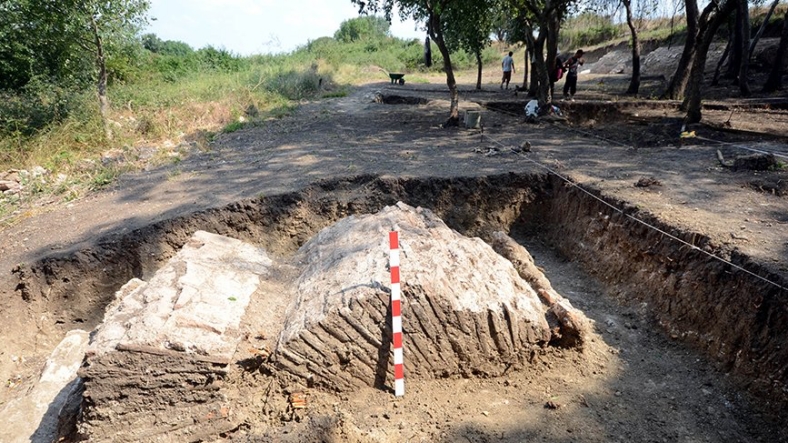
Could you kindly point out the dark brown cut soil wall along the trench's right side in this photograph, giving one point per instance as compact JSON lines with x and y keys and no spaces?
{"x":739,"y":320}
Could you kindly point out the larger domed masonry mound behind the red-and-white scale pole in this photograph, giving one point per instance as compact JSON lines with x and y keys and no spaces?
{"x":466,"y":311}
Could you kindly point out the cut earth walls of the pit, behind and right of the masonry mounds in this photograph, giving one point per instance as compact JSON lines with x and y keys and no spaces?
{"x":739,"y":321}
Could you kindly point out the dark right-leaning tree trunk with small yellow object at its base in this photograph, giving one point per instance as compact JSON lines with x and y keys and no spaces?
{"x":710,"y":21}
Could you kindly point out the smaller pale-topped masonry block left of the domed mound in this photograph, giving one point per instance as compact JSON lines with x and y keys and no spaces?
{"x":155,"y":367}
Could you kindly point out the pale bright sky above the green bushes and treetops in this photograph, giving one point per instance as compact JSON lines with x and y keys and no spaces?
{"x":248,"y":27}
